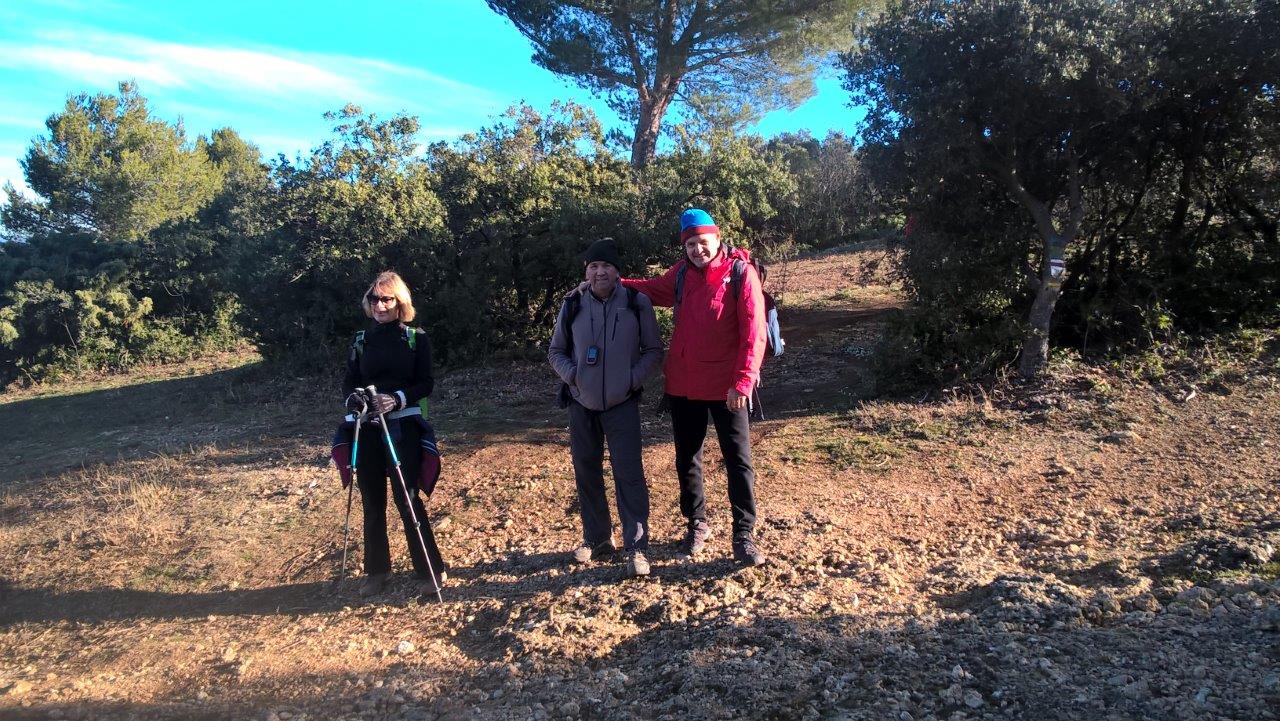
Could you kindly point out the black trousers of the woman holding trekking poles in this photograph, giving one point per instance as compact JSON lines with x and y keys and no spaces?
{"x":374,"y":469}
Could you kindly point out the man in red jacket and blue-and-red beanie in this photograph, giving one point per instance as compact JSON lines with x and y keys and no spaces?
{"x":715,"y":362}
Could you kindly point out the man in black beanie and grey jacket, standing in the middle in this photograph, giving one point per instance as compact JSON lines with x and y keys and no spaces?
{"x":605,"y":346}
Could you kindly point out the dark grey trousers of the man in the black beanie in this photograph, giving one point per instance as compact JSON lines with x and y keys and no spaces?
{"x":588,"y":432}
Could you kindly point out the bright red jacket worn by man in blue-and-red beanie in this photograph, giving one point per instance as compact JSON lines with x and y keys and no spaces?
{"x":719,"y":341}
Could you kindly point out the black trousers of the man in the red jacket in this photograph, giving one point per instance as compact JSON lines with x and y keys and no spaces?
{"x":689,"y":428}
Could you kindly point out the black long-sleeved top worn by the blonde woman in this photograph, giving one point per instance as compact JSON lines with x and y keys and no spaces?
{"x":388,"y":363}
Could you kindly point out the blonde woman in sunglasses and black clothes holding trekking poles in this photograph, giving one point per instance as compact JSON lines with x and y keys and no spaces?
{"x":396,"y":359}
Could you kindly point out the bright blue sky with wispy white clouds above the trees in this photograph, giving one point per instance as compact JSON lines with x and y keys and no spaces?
{"x":271,"y":70}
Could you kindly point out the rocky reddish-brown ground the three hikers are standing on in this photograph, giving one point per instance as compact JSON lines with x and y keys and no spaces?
{"x":1096,"y":547}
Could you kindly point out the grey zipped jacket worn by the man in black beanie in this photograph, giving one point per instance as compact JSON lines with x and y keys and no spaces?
{"x":630,"y":349}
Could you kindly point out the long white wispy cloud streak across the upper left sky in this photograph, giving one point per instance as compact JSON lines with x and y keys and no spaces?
{"x":268,"y":75}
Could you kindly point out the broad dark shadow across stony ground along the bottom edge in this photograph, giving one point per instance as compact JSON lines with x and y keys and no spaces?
{"x":1031,"y":665}
